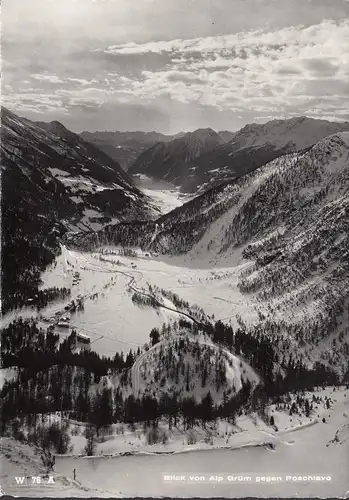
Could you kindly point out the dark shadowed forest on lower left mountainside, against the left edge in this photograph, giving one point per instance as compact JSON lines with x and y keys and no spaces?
{"x":31,"y":231}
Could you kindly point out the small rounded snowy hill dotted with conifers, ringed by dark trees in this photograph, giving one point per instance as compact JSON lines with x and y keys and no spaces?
{"x":192,"y":365}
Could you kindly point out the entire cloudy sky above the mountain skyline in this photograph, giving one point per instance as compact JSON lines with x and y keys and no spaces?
{"x":171,"y":65}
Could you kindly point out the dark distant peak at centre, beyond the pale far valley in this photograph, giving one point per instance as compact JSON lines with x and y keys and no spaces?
{"x":169,"y":160}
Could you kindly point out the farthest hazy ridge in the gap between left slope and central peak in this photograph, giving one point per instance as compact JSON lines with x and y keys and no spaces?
{"x":124,"y":147}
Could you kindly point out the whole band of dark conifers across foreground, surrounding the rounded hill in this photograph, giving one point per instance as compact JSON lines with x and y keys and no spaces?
{"x":52,"y":377}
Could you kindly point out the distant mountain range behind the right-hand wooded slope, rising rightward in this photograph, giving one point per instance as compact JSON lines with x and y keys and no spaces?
{"x":201,"y":159}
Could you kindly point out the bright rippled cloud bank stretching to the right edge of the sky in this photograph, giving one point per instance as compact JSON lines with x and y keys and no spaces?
{"x":260,"y":70}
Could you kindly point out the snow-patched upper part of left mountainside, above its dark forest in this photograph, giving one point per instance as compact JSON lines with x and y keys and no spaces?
{"x":55,"y":160}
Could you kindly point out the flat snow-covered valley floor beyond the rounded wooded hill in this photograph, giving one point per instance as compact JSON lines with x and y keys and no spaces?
{"x":110,"y":318}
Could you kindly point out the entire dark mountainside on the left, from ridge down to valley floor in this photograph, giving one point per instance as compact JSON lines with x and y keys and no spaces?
{"x":53,"y":182}
